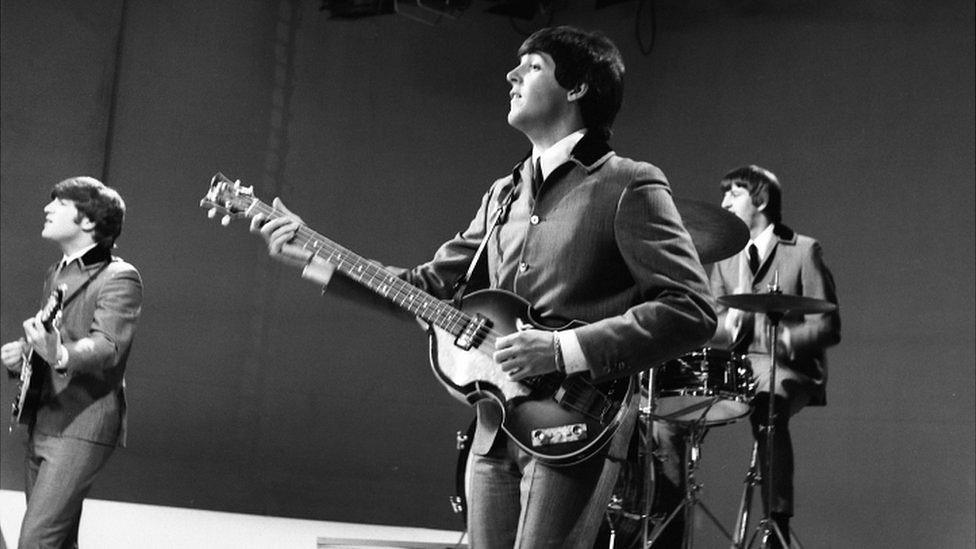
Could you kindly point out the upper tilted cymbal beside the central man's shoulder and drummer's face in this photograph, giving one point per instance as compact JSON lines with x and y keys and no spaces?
{"x":716,"y":232}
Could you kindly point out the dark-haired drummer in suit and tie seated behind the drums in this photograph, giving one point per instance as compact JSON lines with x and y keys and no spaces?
{"x":774,"y":253}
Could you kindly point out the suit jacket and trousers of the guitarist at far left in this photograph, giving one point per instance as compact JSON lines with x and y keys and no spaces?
{"x":81,"y":415}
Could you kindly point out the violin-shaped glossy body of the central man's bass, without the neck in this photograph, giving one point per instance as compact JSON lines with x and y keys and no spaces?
{"x":560,"y":420}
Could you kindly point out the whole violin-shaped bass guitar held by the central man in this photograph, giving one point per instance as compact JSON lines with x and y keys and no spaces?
{"x":559,"y":419}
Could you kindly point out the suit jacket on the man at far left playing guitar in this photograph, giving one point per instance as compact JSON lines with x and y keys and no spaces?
{"x":97,"y":328}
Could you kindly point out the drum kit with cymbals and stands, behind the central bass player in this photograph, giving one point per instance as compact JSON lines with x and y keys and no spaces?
{"x":707,"y":388}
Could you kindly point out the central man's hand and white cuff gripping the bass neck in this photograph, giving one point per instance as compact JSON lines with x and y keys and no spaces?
{"x":279,"y":230}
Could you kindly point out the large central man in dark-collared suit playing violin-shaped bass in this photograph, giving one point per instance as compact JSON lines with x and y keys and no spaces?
{"x":583,"y":235}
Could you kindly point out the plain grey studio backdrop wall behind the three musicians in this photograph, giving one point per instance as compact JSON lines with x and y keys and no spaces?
{"x":250,"y":393}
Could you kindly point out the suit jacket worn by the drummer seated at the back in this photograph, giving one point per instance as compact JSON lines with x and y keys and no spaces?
{"x":798,"y":260}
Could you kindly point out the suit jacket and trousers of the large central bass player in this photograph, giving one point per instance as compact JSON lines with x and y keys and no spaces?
{"x":602,"y":243}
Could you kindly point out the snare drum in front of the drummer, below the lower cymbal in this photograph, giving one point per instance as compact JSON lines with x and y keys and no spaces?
{"x":710,"y":385}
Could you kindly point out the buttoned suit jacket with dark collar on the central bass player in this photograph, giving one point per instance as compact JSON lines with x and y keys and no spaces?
{"x":602,"y":243}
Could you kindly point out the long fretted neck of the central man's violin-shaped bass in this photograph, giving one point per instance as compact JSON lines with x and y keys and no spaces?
{"x":374,"y":277}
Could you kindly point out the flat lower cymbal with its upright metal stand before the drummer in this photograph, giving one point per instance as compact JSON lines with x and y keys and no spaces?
{"x":775,"y":305}
